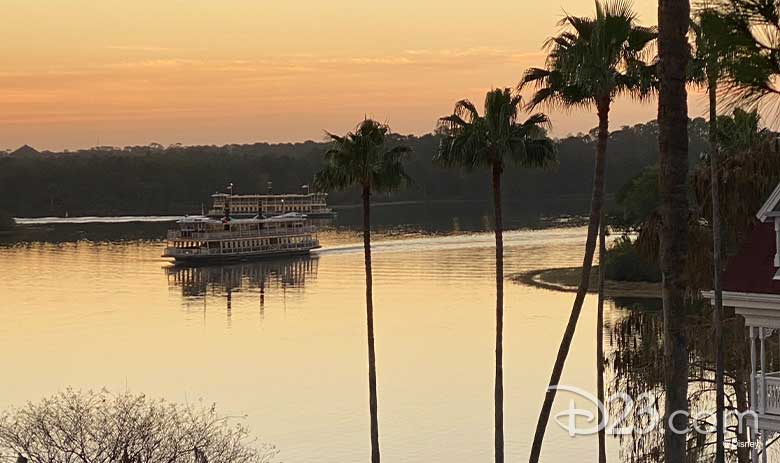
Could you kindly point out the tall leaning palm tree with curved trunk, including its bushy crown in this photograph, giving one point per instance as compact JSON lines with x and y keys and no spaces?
{"x":590,"y":63}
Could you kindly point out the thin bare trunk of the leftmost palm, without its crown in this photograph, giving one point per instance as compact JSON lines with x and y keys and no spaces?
{"x":372,"y":395}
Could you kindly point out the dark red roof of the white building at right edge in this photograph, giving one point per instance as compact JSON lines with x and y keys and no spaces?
{"x":752,"y":269}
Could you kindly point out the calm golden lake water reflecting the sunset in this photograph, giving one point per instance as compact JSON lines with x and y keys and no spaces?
{"x":283,"y":342}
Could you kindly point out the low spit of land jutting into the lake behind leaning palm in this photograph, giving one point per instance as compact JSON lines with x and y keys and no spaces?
{"x":566,"y":279}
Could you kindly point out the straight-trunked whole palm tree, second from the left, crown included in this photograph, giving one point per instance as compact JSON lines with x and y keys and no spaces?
{"x":494,"y":140}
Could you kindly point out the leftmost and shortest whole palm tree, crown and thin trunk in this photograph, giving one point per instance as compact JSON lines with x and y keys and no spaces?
{"x":363,"y":159}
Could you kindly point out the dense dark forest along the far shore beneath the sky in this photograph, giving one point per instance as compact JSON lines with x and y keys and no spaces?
{"x":178,"y":179}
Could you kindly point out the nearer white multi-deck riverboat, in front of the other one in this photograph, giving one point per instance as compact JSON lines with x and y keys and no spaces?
{"x":207,"y":239}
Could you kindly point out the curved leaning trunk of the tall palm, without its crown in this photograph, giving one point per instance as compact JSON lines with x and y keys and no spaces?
{"x":596,"y":204}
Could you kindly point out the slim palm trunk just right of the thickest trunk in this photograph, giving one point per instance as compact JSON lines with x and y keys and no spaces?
{"x":716,"y":283}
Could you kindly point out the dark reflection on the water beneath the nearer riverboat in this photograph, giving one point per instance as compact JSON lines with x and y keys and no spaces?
{"x":224,"y":279}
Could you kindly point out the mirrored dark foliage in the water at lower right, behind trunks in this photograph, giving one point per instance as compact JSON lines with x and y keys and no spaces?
{"x":636,"y":363}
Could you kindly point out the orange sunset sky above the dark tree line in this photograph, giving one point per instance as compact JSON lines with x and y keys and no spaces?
{"x":80,"y":73}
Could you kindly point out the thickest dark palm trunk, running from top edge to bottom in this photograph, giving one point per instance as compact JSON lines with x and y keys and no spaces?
{"x":673,"y":19}
